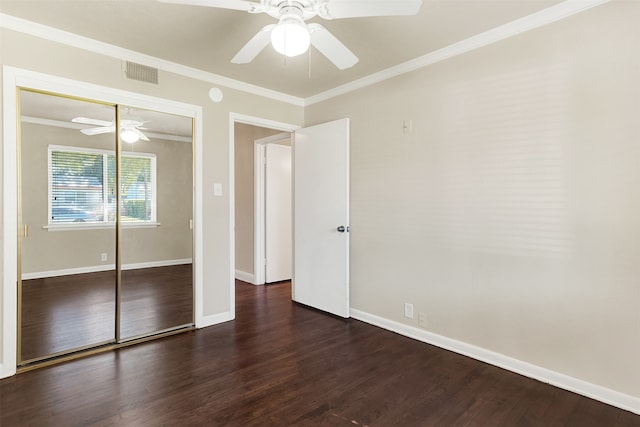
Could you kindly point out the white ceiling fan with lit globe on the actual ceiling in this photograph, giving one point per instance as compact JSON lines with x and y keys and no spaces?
{"x":291,"y":36}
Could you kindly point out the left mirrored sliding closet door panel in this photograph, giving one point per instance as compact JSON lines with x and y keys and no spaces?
{"x":67,"y":292}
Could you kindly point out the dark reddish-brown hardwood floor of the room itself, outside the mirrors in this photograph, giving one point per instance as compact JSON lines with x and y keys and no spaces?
{"x":281,"y":364}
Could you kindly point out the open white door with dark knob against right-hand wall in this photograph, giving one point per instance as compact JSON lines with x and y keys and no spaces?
{"x":321,"y":217}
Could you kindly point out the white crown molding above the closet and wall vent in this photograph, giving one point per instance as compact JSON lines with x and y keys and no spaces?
{"x":49,"y":33}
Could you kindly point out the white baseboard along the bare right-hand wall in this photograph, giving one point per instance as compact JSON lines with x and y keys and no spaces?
{"x":593,"y":391}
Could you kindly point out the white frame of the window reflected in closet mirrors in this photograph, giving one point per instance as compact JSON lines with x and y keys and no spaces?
{"x":152,"y":222}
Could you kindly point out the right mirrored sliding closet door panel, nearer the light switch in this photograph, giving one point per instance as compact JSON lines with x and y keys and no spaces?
{"x":156,"y":211}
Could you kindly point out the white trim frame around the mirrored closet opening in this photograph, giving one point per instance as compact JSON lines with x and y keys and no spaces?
{"x":15,"y":79}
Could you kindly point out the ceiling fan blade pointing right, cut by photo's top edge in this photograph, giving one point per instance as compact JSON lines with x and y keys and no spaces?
{"x":337,"y":9}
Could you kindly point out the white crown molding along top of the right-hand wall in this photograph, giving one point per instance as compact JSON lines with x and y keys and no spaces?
{"x":530,"y":22}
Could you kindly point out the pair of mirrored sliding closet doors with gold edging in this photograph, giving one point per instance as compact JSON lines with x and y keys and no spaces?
{"x":101,"y":263}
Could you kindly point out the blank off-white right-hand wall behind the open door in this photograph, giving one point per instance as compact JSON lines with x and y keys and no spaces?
{"x":511,"y":214}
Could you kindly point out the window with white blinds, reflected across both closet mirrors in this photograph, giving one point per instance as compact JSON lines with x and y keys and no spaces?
{"x":82,"y":186}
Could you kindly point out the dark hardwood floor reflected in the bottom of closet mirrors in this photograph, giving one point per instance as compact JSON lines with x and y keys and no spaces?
{"x":67,"y":312}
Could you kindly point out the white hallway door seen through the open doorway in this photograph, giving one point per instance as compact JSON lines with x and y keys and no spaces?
{"x":278,"y":242}
